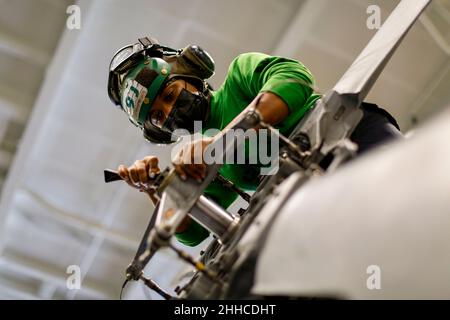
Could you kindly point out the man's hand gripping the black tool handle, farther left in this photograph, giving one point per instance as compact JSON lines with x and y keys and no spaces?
{"x":139,"y":174}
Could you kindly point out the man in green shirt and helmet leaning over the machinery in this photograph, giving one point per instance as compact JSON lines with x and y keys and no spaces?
{"x":160,"y":99}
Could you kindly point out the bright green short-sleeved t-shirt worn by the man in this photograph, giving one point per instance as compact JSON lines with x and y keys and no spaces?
{"x":248,"y":75}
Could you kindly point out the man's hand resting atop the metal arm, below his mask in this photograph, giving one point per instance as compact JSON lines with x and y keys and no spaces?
{"x":189,"y":162}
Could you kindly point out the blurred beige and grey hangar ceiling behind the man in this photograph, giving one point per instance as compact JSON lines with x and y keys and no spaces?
{"x":58,"y":129}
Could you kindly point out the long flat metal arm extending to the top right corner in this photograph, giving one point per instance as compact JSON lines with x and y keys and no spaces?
{"x":336,"y":115}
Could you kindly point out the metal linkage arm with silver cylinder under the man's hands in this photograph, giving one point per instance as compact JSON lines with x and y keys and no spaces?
{"x":180,"y":197}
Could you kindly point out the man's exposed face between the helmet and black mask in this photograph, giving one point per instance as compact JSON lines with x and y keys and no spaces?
{"x":165,"y":101}
